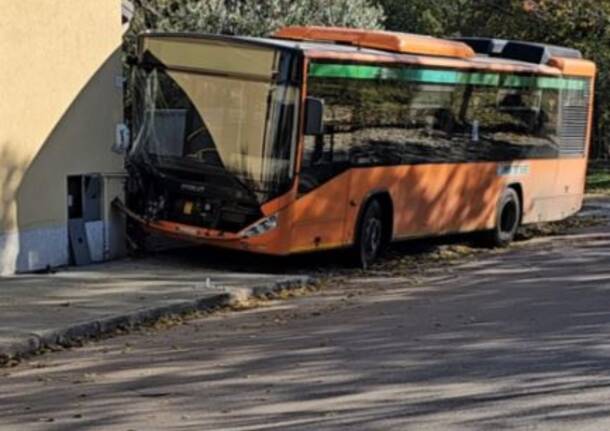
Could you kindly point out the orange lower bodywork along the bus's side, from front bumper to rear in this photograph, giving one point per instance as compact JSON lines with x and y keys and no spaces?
{"x":429,"y":200}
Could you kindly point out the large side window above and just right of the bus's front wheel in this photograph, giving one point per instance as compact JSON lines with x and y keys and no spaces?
{"x":401,"y":122}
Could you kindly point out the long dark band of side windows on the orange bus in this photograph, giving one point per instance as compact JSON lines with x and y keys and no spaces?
{"x":403,"y":116}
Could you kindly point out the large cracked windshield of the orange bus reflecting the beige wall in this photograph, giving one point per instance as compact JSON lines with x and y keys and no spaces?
{"x":199,"y":122}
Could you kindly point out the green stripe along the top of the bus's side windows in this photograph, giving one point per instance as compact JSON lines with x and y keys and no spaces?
{"x":433,"y":76}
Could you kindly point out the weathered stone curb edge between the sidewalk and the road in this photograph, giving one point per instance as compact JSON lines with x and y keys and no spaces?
{"x":29,"y":343}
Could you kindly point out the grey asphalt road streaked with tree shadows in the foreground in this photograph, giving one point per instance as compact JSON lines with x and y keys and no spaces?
{"x":517,"y":340}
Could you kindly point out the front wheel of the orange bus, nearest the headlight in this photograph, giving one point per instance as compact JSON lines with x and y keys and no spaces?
{"x":370,"y":235}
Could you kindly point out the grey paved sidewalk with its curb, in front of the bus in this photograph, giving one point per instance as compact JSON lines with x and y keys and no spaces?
{"x":50,"y":309}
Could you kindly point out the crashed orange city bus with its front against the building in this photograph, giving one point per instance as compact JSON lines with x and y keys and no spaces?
{"x":322,"y":138}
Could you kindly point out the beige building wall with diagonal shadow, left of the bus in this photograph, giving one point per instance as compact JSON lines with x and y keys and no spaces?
{"x":60,"y":103}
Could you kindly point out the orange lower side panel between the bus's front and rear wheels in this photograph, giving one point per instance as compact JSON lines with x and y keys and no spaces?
{"x":429,"y":199}
